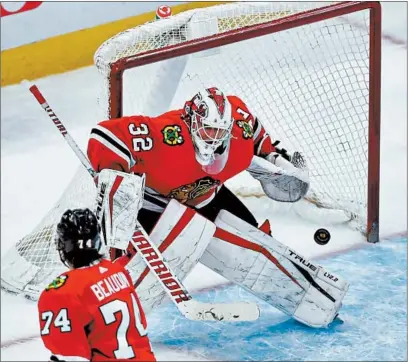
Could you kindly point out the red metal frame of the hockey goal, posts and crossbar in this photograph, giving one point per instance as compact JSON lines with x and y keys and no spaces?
{"x":292,"y":21}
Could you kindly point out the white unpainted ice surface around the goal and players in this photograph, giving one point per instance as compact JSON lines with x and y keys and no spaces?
{"x":36,"y":166}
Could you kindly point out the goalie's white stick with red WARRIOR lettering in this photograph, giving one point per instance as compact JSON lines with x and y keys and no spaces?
{"x":190,"y":308}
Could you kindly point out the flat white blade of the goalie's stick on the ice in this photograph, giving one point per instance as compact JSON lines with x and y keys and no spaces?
{"x":221,"y":312}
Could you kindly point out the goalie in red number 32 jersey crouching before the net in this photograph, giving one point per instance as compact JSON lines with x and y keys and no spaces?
{"x":186,"y":156}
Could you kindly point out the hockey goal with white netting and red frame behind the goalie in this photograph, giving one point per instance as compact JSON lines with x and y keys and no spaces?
{"x":310,"y":72}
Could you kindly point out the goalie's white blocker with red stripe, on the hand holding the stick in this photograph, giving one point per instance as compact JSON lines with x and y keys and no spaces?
{"x":119,"y":198}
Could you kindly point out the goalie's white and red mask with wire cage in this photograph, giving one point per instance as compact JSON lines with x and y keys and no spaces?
{"x":209,"y":117}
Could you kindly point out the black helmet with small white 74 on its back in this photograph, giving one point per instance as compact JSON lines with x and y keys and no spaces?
{"x":78,"y":240}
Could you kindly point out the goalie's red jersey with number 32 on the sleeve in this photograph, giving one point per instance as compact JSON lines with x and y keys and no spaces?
{"x":162,"y":148}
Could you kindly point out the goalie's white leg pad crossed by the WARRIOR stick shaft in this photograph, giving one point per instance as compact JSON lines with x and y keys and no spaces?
{"x":181,"y":235}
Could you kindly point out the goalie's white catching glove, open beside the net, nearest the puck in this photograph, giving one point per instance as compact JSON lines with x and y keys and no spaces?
{"x":283,"y":177}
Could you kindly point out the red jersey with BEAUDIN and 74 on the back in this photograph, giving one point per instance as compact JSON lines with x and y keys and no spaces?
{"x":93,"y":314}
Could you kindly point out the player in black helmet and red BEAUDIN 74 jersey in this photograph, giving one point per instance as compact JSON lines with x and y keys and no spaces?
{"x":92,"y":312}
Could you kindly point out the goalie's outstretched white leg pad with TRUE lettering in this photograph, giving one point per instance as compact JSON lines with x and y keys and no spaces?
{"x":274,"y":272}
